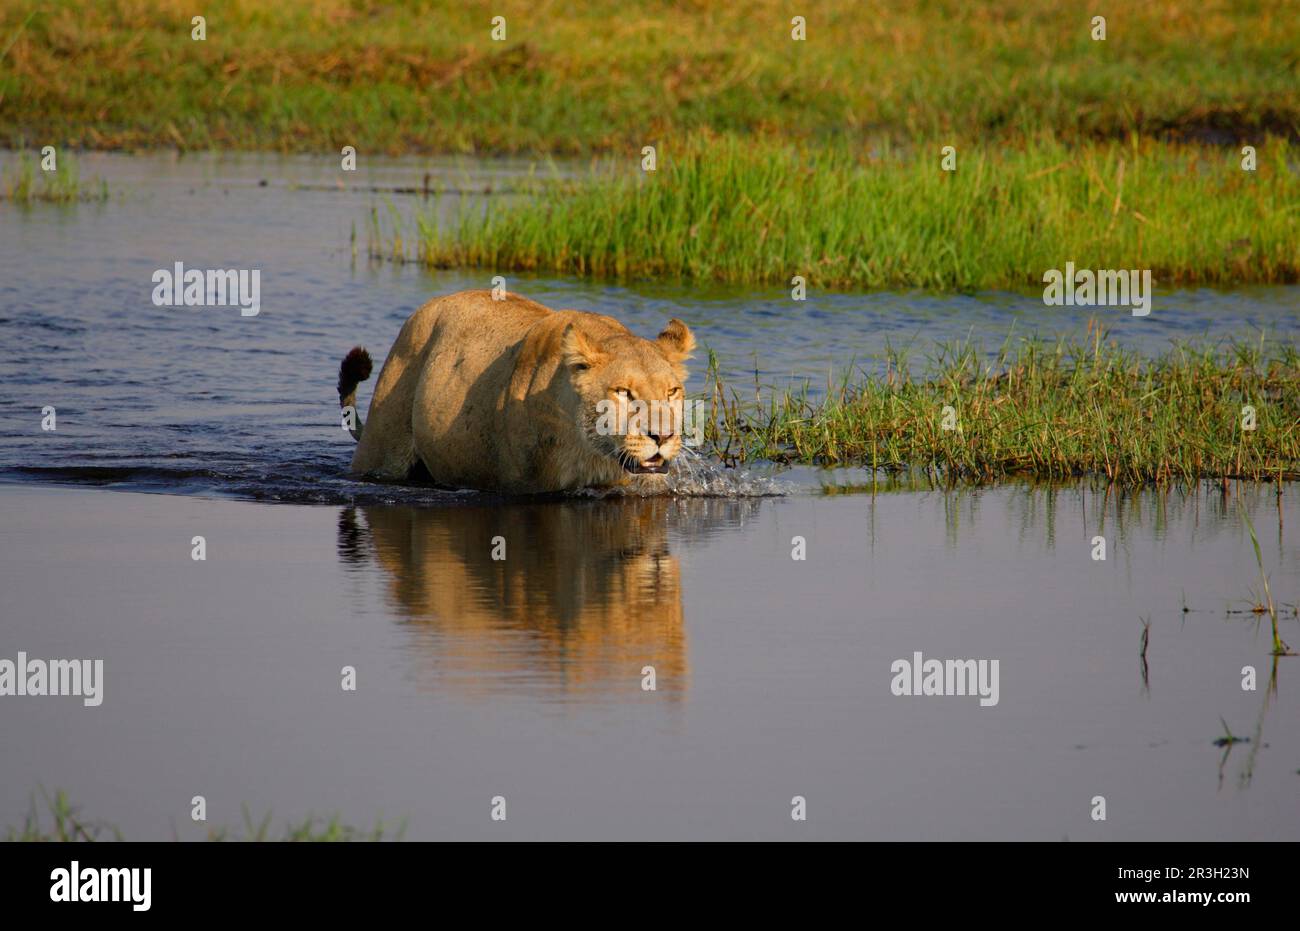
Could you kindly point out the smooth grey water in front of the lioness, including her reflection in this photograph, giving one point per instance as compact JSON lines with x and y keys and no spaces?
{"x":523,"y":678}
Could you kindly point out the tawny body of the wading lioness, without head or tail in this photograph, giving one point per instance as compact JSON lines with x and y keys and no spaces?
{"x":467,"y":389}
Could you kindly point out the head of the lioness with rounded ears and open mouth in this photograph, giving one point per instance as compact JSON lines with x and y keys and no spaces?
{"x":632,"y":395}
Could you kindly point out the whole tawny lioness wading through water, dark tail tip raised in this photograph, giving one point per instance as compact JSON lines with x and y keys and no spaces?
{"x":504,"y":396}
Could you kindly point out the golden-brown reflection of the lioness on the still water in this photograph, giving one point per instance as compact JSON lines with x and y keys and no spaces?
{"x":587,"y":596}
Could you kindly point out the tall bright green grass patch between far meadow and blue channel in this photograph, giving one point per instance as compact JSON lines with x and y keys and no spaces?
{"x":746,"y":211}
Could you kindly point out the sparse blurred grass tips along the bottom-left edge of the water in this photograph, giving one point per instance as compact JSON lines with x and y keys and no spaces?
{"x":57,"y":820}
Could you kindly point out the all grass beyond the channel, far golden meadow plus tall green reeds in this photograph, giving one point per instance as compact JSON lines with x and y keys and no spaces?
{"x":778,"y":158}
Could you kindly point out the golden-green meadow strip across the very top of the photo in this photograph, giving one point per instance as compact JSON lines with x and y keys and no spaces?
{"x":610,"y":76}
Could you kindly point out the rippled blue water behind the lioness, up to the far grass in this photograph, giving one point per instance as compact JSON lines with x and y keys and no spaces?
{"x":205,"y":400}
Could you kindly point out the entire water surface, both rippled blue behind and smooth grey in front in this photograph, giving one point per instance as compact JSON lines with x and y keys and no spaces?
{"x":523,"y":678}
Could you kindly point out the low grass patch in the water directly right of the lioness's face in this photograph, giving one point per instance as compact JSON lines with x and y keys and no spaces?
{"x":1033,"y":409}
